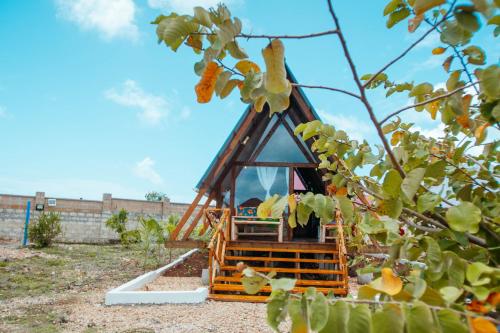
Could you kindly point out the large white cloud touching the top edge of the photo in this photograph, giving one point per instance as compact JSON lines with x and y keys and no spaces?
{"x":111,"y":18}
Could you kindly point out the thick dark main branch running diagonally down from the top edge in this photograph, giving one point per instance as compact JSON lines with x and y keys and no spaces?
{"x":362,"y":93}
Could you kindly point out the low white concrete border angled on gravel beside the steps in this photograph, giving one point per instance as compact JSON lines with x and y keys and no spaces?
{"x":128,"y":294}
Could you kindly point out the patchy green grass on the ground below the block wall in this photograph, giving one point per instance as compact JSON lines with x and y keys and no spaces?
{"x":64,"y":272}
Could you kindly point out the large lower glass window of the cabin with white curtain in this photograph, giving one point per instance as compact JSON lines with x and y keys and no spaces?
{"x":254,"y":184}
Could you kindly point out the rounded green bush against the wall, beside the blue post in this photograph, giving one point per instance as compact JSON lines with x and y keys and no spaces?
{"x":47,"y":227}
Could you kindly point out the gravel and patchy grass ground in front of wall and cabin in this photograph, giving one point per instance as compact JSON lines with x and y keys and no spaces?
{"x":61,"y":289}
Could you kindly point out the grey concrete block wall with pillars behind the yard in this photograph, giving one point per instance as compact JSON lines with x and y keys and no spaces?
{"x":83,"y":221}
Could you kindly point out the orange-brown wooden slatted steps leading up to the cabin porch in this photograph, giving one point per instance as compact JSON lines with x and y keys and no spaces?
{"x":312,"y":264}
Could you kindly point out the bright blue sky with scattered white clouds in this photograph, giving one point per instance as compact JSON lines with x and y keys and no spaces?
{"x":90,"y":103}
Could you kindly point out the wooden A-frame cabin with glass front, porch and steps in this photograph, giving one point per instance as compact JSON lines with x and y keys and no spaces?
{"x":260,"y":158}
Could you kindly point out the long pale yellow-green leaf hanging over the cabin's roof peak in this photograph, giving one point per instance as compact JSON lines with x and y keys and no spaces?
{"x":274,"y":56}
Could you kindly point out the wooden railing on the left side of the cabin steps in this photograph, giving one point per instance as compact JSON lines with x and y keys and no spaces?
{"x":219,"y":220}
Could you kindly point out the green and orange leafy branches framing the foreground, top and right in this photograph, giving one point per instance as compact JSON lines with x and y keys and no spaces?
{"x":428,"y":199}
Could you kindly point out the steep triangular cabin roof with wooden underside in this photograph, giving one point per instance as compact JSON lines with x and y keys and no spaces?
{"x":249,"y":129}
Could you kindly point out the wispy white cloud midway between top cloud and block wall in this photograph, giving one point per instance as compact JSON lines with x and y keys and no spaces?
{"x":153,"y":108}
